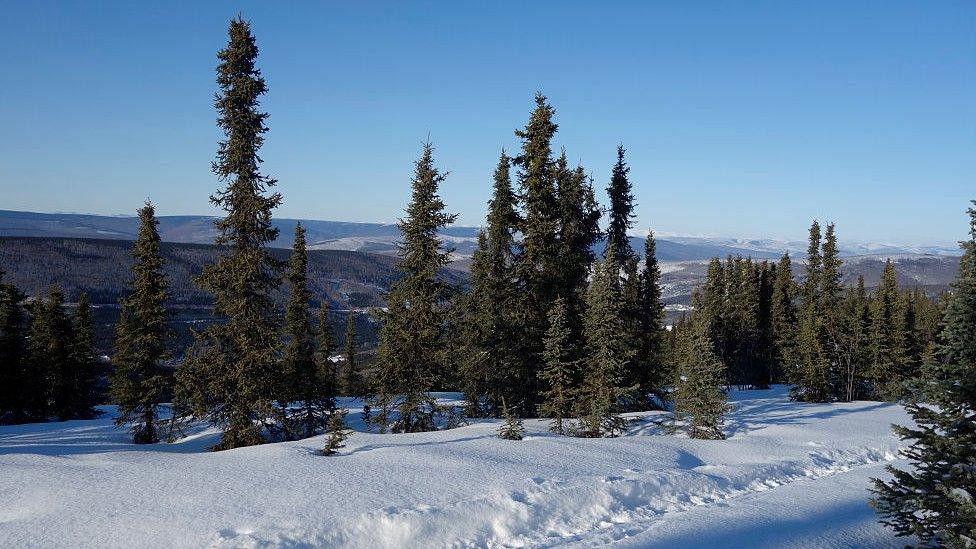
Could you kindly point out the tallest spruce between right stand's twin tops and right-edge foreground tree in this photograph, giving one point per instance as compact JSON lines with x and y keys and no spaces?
{"x":887,"y":375}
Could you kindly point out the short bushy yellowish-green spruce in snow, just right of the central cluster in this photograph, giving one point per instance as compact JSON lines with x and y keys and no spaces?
{"x":699,"y":399}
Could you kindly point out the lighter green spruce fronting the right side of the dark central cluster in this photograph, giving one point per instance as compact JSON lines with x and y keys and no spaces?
{"x":607,"y":354}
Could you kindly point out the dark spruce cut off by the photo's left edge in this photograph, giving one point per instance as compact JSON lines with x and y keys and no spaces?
{"x":15,"y":378}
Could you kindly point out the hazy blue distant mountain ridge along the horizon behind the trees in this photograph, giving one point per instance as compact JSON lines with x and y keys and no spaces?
{"x":382,"y":237}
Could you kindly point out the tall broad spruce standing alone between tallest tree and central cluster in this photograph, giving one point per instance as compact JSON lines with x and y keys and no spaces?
{"x":412,"y":347}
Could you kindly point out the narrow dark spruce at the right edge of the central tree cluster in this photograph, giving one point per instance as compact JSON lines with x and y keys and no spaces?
{"x":651,"y":377}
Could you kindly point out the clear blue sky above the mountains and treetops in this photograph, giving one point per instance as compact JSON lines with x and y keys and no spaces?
{"x":740,"y":118}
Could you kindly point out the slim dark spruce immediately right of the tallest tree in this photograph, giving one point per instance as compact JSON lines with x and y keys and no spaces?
{"x":304,"y":383}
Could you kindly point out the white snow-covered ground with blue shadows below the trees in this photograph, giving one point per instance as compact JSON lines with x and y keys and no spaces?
{"x":790,"y":475}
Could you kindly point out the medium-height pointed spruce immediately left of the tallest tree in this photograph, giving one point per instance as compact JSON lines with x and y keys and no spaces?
{"x":137,"y":383}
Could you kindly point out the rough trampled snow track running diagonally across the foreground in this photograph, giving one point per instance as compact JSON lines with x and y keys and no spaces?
{"x":548,"y":512}
